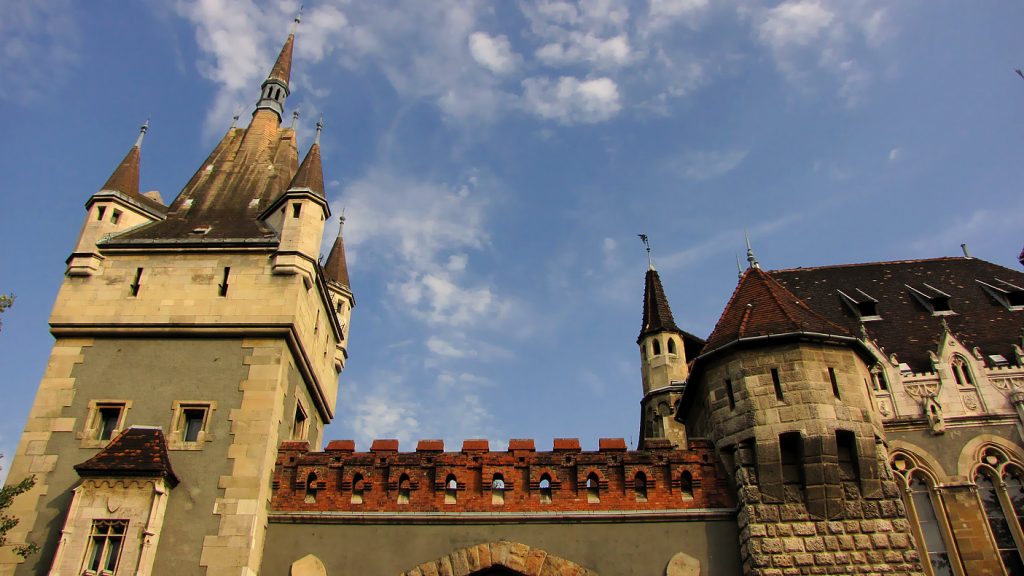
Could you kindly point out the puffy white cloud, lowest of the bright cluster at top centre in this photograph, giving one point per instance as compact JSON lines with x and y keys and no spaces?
{"x":571,"y":102}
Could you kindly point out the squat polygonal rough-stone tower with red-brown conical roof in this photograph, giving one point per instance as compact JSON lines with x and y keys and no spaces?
{"x":784,"y":397}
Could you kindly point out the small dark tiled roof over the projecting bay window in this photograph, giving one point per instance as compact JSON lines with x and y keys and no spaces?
{"x":138,"y":451}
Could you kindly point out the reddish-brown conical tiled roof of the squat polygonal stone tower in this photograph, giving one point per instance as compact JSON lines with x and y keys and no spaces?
{"x":762,"y":307}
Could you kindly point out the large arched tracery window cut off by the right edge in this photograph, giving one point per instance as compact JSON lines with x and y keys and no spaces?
{"x":1000,"y":488}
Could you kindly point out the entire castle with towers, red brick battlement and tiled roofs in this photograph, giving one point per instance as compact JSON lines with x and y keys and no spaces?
{"x":850,"y":420}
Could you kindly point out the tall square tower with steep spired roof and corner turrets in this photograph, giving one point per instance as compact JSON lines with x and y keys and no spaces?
{"x":210,"y":321}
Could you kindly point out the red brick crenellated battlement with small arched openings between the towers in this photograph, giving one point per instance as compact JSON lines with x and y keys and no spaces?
{"x":479,"y":480}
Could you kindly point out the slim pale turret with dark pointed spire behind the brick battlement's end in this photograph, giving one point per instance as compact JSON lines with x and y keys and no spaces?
{"x":663,"y":366}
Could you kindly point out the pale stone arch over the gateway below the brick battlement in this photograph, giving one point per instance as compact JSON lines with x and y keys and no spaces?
{"x":516,"y":557}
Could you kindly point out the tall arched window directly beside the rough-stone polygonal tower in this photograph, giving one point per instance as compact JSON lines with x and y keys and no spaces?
{"x":926,"y":515}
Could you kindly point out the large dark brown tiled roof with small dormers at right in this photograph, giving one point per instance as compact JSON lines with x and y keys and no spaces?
{"x":907,"y":328}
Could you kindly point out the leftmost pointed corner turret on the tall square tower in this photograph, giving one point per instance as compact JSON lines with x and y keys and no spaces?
{"x":118,"y":207}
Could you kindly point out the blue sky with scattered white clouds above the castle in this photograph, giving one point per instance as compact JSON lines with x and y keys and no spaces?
{"x":496,"y":162}
